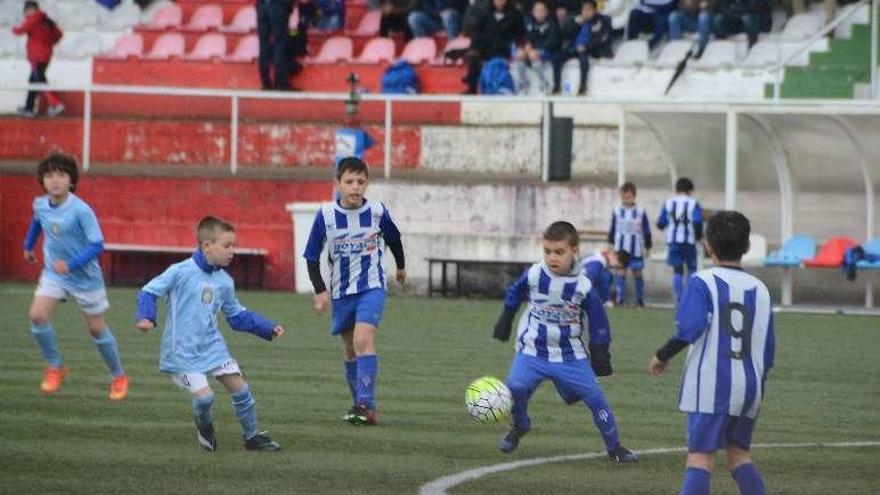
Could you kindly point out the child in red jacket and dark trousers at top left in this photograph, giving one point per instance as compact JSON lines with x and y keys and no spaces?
{"x":42,"y":34}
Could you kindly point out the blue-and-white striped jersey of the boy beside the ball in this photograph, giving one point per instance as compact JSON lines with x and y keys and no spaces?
{"x":559,"y":307}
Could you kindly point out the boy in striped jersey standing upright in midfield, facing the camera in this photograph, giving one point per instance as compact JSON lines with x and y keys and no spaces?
{"x":355,"y":231}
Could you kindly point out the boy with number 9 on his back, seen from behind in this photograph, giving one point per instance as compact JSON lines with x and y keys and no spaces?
{"x":725,"y":317}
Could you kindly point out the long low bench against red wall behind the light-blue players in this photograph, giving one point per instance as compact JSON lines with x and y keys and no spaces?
{"x":136,"y":264}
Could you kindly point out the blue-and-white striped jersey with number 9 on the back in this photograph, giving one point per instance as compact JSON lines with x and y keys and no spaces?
{"x":725,"y":314}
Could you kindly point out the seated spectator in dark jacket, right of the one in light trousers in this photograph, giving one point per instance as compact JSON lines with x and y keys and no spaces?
{"x":593,"y":39}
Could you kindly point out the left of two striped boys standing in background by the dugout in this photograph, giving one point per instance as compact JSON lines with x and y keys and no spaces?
{"x":630,"y":232}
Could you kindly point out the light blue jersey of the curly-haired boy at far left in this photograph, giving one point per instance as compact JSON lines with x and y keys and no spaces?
{"x":70,"y":229}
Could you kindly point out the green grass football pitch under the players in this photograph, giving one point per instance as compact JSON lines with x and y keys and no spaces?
{"x":825,"y":388}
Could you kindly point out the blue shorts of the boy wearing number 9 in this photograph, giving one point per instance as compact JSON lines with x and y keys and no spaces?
{"x":711,"y":432}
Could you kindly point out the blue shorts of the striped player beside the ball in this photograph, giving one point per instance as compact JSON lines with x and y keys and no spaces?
{"x":574,"y":380}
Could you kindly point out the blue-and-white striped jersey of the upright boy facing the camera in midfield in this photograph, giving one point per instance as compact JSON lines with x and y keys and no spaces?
{"x":355,"y":242}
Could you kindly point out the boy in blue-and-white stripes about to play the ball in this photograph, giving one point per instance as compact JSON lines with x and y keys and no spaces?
{"x":549,"y":345}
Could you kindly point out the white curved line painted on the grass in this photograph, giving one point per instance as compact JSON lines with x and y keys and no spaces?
{"x":440,"y":485}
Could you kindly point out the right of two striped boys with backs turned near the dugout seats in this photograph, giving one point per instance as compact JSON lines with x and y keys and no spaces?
{"x":683,"y":216}
